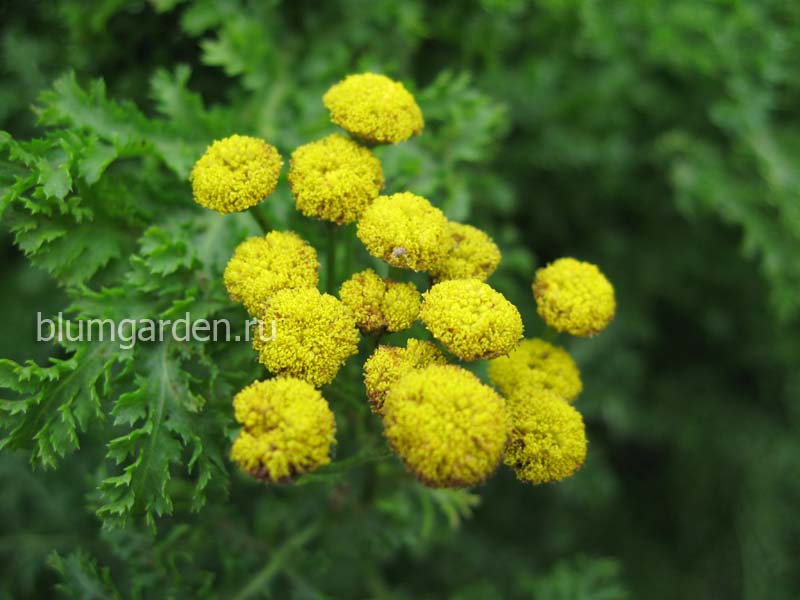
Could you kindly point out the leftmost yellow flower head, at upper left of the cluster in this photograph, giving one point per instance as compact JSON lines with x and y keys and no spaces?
{"x":235,"y":174}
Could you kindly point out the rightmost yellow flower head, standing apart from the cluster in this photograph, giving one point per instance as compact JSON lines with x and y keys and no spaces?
{"x":574,"y":296}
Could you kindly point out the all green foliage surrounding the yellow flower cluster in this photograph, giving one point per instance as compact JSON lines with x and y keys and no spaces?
{"x":657,"y":139}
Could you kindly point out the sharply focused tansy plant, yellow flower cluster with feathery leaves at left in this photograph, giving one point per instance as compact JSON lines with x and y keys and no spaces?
{"x":388,"y":334}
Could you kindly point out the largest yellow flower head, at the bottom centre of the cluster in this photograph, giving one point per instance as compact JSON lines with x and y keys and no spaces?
{"x":448,"y":427}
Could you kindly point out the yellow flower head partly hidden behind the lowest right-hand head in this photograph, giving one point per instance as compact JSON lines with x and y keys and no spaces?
{"x":537,"y":363}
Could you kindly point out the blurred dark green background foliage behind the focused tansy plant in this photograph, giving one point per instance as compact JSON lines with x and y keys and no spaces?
{"x":659,"y":139}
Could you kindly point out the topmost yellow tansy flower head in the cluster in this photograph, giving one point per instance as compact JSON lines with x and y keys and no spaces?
{"x":374,"y":108}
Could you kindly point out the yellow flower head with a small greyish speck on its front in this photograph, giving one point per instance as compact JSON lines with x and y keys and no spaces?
{"x":406,"y":231}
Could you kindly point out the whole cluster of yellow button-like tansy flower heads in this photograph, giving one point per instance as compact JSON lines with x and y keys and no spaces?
{"x":450,"y":428}
